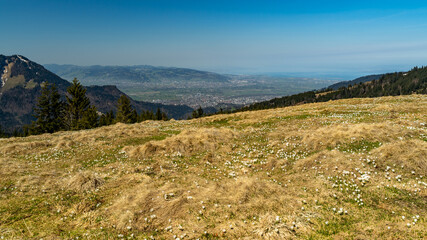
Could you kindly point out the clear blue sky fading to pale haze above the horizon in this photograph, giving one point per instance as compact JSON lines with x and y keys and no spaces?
{"x":225,"y":36}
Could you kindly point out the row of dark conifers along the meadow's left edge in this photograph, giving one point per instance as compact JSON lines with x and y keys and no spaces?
{"x":52,"y":114}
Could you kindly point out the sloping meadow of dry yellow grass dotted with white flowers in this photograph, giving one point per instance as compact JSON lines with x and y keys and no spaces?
{"x":348,"y":169}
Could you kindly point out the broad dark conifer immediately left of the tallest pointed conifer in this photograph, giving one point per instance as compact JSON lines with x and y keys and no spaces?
{"x":49,"y":111}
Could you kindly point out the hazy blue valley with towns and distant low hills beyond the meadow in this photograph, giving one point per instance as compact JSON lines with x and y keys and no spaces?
{"x":169,"y":85}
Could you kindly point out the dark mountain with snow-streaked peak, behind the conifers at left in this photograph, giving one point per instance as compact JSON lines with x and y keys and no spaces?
{"x":20,"y":88}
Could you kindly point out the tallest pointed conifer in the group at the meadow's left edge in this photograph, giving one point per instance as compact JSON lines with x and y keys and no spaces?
{"x":77,"y":104}
